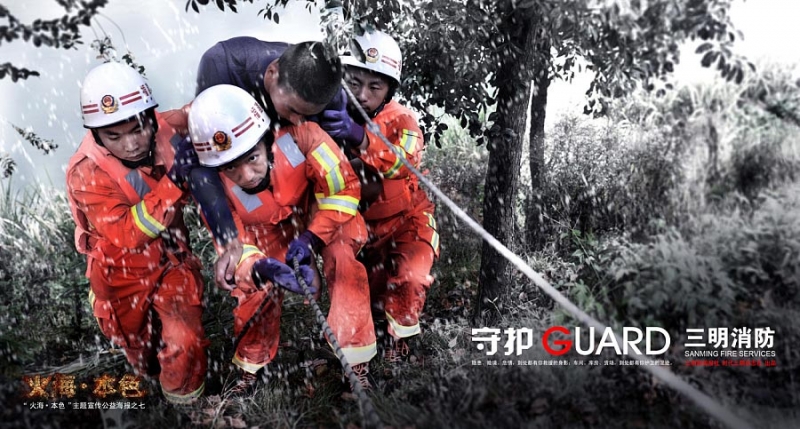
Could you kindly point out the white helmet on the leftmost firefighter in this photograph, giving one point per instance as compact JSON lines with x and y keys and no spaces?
{"x":112,"y":93}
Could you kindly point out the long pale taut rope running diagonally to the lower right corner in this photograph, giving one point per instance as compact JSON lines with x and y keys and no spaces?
{"x":705,"y":402}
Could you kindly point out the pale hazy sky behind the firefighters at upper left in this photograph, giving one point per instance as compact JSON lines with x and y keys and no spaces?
{"x":164,"y":38}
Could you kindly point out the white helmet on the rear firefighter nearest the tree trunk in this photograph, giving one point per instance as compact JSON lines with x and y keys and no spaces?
{"x":380,"y":54}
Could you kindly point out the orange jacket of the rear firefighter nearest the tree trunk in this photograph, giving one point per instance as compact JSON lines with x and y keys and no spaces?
{"x":398,"y":124}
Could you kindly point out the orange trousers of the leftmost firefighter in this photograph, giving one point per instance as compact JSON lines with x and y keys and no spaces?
{"x":174,"y":293}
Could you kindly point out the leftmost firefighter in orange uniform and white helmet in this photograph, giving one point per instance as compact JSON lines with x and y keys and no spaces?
{"x":125,"y":190}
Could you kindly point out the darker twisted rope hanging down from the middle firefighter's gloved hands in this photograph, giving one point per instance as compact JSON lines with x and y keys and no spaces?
{"x":371,"y":418}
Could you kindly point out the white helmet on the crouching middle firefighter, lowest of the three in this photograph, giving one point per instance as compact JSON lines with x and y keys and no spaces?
{"x":224,"y":123}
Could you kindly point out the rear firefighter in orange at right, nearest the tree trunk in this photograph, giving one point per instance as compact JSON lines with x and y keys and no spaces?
{"x":403,"y":239}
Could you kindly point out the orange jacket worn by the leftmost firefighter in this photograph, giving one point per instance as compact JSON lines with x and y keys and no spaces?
{"x":121,"y":214}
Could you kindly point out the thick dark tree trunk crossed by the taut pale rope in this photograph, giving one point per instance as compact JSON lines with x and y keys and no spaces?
{"x":502,"y":175}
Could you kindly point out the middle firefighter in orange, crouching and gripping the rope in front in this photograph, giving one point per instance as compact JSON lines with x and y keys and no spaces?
{"x":269,"y":178}
